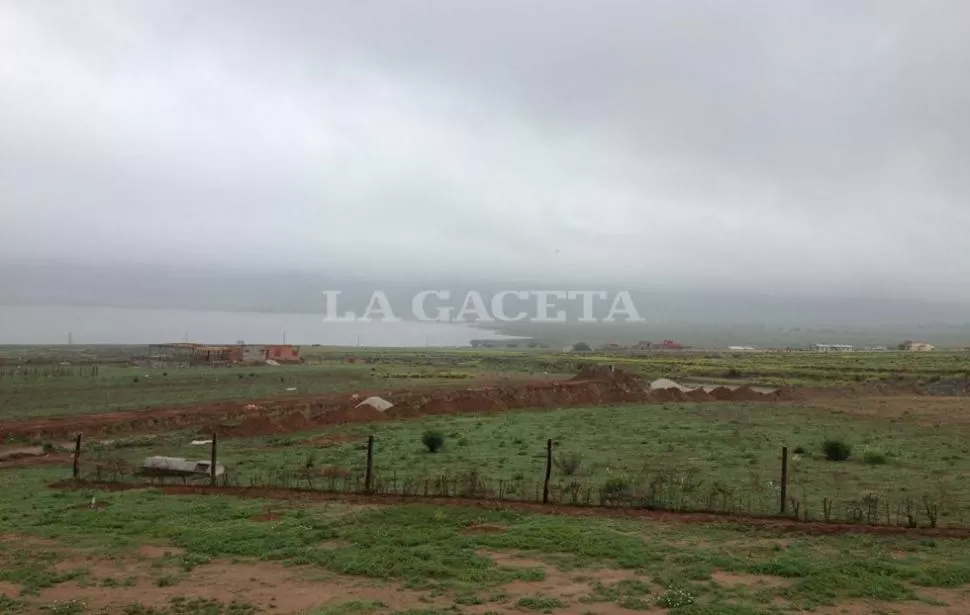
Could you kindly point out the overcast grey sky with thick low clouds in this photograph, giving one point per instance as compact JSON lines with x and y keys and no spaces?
{"x":788,"y":144}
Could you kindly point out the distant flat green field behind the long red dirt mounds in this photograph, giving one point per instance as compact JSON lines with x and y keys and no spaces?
{"x":327,"y":370}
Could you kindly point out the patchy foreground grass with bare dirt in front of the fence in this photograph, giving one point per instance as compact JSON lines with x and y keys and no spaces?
{"x":439,"y":556}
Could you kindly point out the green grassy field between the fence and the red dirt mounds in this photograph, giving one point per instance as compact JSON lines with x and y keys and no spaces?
{"x":708,"y":456}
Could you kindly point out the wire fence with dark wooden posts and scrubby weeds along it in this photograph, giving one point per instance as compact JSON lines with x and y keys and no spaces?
{"x":561,"y":484}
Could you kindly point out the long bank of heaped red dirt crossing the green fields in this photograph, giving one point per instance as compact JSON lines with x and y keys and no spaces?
{"x":592,"y":386}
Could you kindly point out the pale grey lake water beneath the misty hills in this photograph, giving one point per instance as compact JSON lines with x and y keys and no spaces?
{"x":96,"y":325}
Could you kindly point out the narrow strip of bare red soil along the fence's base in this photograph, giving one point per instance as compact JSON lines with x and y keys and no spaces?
{"x":774,"y":524}
